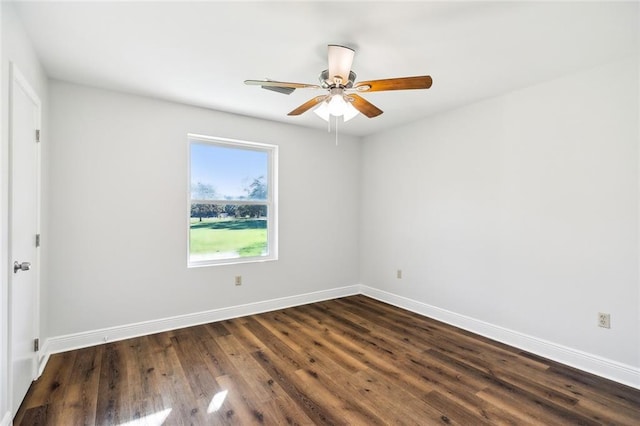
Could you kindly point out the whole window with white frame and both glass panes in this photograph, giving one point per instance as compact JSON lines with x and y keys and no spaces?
{"x":232,"y":206}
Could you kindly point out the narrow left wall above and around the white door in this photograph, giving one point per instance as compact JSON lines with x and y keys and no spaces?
{"x":16,"y":48}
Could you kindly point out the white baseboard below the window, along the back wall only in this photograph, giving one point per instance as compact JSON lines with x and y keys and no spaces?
{"x":95,"y":337}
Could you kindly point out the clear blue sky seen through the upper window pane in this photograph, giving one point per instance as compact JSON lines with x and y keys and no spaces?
{"x":228,"y":170}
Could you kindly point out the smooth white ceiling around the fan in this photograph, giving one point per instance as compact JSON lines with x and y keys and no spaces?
{"x":200,"y":53}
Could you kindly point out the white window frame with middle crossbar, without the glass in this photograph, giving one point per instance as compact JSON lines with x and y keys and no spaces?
{"x":271,"y":202}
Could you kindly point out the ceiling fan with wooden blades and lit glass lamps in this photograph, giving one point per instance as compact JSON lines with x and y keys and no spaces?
{"x":338,"y":80}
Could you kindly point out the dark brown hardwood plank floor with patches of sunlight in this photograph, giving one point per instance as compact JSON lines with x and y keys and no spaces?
{"x":346,"y":361}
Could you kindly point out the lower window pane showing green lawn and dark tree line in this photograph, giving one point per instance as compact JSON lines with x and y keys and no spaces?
{"x":227,"y":231}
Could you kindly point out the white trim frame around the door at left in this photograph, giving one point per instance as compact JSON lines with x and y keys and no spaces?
{"x":16,"y":78}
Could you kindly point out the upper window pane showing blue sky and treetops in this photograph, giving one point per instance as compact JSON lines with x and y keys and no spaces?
{"x":228,"y":173}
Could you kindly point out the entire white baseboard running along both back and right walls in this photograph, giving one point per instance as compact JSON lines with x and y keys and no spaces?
{"x":609,"y":369}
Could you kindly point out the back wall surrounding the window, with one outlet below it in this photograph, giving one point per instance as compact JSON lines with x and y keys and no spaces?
{"x":119,"y":212}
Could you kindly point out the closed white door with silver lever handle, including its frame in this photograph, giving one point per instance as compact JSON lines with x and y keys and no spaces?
{"x":23,"y":226}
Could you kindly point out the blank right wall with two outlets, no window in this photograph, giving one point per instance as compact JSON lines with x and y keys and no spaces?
{"x":520,"y":211}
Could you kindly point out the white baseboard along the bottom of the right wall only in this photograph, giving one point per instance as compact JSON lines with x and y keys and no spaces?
{"x":621,"y":373}
